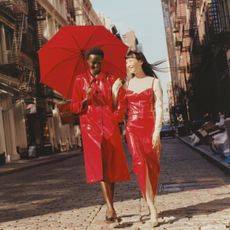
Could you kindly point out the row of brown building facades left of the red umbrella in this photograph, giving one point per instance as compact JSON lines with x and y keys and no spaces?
{"x":28,"y":109}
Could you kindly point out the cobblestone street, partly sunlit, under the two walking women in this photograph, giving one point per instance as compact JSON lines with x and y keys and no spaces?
{"x":193,"y":194}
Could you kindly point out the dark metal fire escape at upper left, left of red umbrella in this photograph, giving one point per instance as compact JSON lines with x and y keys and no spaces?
{"x":18,"y":63}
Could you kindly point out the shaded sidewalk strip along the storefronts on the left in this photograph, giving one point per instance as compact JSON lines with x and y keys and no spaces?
{"x":18,"y":165}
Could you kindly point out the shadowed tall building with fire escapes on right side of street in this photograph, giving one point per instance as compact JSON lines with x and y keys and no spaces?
{"x":198,"y":39}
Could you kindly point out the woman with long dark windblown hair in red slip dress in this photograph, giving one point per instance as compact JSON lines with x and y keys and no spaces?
{"x":144,"y":103}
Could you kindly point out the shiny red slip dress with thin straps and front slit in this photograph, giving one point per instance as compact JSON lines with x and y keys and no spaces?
{"x":139,"y":130}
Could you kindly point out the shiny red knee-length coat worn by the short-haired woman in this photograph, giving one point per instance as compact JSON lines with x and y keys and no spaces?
{"x":99,"y":127}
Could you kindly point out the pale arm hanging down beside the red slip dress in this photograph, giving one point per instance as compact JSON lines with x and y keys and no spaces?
{"x":158,"y":110}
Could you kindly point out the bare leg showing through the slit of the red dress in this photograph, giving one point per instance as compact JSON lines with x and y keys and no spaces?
{"x":150,"y":201}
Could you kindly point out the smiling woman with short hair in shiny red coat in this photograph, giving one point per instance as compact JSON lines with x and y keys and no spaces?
{"x":104,"y":157}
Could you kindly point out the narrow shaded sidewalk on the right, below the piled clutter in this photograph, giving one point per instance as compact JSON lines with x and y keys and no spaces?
{"x":207,"y":153}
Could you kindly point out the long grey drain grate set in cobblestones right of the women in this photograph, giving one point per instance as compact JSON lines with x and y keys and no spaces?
{"x":183,"y":186}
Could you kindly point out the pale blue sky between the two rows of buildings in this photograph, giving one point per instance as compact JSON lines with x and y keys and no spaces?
{"x":145,"y":18}
